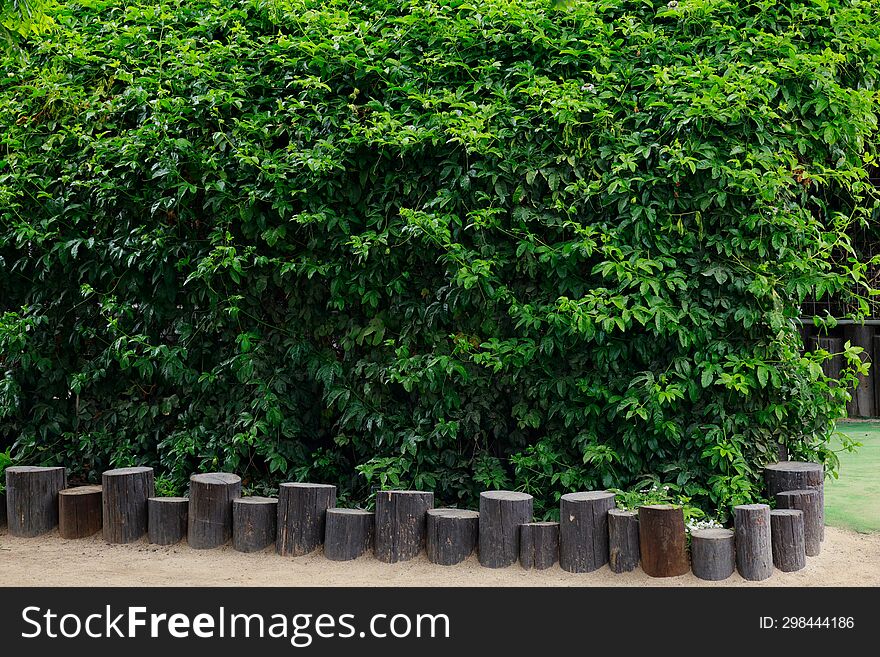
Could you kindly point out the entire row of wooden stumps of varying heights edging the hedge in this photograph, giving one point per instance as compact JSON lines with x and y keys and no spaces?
{"x":591,"y":532}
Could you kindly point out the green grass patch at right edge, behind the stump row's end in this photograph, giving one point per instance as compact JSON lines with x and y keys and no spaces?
{"x":853,"y":500}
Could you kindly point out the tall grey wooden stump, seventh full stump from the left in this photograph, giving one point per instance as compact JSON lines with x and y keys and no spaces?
{"x":302,"y":512}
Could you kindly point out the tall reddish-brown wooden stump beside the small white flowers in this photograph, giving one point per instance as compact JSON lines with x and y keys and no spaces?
{"x":662,"y":540}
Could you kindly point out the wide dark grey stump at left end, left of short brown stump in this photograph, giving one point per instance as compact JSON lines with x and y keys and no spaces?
{"x":32,"y":499}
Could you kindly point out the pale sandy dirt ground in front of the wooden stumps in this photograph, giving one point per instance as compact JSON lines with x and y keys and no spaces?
{"x":847,"y":559}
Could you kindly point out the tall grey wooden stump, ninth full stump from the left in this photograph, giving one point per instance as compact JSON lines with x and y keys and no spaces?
{"x":401,"y":523}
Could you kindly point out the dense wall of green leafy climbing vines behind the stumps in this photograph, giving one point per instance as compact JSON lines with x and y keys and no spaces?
{"x":442,"y":245}
